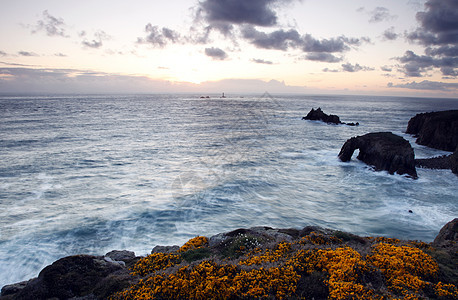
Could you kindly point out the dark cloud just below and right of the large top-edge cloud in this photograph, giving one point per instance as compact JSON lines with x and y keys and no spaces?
{"x":279,"y":39}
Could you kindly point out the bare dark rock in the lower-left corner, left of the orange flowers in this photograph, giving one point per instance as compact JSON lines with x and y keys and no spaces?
{"x":79,"y":276}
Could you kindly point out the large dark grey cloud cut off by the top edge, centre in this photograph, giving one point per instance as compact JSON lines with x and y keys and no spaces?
{"x":255,"y":12}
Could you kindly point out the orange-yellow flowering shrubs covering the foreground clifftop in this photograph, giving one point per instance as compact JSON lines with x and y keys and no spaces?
{"x":318,"y":265}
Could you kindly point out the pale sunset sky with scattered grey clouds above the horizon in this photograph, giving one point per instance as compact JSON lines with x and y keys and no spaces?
{"x":370,"y":47}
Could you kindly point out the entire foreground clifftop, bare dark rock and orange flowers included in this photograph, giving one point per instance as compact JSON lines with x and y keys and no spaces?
{"x":260,"y":262}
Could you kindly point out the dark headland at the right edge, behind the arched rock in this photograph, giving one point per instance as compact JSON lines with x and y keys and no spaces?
{"x":437,"y":130}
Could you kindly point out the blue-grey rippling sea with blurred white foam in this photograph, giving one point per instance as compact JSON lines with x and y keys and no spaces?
{"x":89,"y":174}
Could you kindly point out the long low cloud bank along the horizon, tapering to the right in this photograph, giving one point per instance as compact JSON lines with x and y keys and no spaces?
{"x":45,"y":80}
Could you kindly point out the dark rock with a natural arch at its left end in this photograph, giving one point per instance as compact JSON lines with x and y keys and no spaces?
{"x":382,"y":150}
